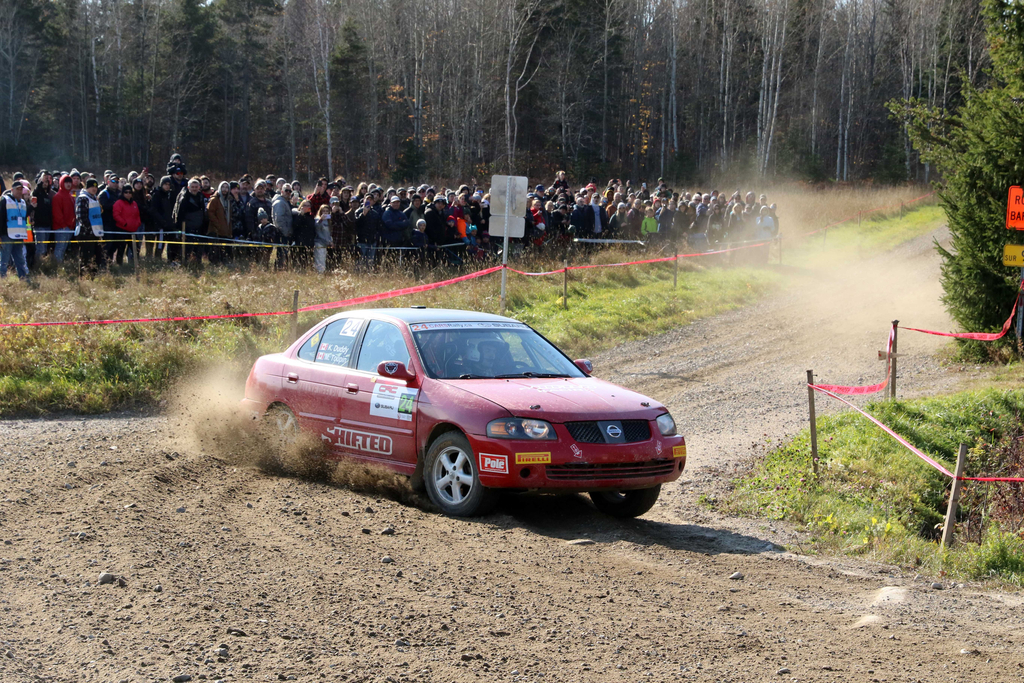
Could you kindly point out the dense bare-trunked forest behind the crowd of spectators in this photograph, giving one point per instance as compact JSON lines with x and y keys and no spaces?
{"x":409,"y":90}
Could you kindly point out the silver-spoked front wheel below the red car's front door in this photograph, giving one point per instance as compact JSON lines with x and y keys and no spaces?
{"x":451,"y":479}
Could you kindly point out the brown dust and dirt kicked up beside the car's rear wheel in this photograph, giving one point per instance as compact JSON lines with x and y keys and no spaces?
{"x":210,"y":421}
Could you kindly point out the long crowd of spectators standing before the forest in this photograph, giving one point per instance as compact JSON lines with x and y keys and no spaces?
{"x":188,"y":220}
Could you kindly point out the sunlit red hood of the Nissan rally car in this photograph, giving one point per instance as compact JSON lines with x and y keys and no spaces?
{"x":564,"y":400}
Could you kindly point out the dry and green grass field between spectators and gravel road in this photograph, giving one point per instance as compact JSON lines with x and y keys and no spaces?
{"x":93,"y":369}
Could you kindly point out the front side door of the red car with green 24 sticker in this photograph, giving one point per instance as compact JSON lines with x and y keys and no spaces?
{"x":383,"y":413}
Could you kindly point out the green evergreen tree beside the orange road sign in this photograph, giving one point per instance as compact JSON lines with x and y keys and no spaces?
{"x":980,"y":153}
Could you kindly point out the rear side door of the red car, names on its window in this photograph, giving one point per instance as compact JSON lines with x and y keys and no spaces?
{"x":320,"y":376}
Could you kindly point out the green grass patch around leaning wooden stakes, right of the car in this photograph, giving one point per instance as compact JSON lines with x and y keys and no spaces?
{"x":874,"y":497}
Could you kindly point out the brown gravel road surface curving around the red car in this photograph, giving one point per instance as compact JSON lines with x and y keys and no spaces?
{"x":224,"y":572}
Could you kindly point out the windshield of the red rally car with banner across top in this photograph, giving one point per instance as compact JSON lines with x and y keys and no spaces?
{"x":489,"y":351}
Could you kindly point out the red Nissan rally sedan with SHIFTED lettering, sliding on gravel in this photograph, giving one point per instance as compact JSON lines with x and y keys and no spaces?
{"x":467,"y":405}
